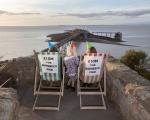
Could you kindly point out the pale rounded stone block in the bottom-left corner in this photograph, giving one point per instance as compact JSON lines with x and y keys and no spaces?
{"x":8,"y":104}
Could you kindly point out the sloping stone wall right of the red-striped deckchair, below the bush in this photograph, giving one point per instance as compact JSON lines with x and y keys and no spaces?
{"x":129,"y":91}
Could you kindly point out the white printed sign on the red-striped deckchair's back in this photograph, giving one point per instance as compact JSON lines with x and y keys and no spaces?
{"x":93,"y":65}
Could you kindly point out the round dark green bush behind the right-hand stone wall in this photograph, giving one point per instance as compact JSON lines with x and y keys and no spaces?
{"x":134,"y":59}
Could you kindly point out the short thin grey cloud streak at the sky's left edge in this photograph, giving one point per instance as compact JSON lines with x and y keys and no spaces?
{"x":18,"y":13}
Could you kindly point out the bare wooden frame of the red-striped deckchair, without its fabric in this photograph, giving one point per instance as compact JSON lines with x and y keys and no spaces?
{"x":100,"y":93}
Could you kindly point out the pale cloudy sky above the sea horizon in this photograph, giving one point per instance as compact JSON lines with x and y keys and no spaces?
{"x":73,"y":12}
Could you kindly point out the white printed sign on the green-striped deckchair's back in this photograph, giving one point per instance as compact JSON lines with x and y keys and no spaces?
{"x":49,"y":63}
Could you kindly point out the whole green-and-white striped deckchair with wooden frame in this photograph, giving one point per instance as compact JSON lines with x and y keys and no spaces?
{"x":48,"y":68}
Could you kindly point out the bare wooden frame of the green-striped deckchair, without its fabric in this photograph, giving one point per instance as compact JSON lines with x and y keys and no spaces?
{"x":37,"y":89}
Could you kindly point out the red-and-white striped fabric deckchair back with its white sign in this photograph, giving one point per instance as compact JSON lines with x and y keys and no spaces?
{"x":94,"y":64}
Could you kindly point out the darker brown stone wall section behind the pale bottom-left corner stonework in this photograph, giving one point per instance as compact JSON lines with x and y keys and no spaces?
{"x":22,"y":70}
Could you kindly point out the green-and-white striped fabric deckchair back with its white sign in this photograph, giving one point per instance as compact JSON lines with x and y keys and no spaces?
{"x":49,"y":64}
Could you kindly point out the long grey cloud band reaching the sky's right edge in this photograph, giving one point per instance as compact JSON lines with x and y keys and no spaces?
{"x":129,"y":13}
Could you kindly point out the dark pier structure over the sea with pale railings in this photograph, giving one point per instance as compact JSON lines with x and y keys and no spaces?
{"x":79,"y":35}
